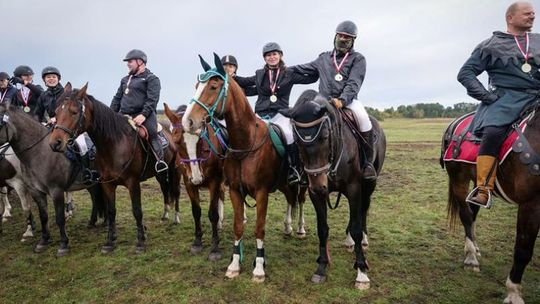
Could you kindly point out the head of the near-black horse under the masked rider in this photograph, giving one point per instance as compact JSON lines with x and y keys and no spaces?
{"x":312,"y":118}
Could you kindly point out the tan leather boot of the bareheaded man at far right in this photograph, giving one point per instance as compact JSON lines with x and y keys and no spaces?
{"x":486,"y":173}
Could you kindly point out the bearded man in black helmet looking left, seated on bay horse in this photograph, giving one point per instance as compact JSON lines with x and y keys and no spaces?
{"x":138,"y":96}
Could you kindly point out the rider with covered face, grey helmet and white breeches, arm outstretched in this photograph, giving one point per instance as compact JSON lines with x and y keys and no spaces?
{"x":341,"y":73}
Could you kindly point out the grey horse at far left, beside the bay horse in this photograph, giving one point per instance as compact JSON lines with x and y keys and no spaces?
{"x":43,"y":172}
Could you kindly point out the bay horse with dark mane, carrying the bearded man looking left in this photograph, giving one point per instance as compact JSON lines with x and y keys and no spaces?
{"x":122,"y":156}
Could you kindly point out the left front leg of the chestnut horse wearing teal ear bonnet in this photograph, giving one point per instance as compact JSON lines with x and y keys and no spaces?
{"x":233,"y":270}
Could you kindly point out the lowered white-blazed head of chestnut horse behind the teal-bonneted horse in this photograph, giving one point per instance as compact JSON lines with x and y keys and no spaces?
{"x":186,"y":144}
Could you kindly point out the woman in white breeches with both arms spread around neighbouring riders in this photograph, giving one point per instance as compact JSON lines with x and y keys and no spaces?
{"x":273,"y":84}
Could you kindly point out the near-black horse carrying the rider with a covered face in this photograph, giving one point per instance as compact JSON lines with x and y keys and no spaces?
{"x":329,"y":150}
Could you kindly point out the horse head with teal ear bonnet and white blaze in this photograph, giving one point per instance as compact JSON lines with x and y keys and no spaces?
{"x":209,"y":99}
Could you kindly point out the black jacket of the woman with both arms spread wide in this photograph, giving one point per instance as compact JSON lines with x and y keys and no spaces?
{"x":261,"y":83}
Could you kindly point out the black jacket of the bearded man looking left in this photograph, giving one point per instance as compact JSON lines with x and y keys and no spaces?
{"x":143,"y":95}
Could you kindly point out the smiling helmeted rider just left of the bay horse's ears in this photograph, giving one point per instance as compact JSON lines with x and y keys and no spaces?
{"x":47,"y":101}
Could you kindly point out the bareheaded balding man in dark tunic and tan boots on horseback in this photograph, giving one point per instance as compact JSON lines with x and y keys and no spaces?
{"x":511,"y":61}
